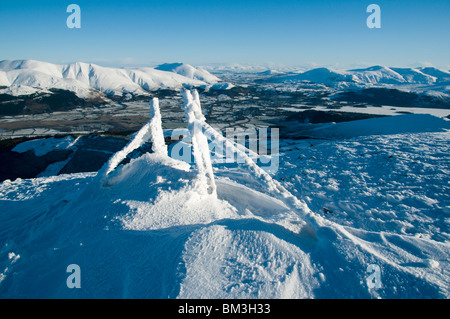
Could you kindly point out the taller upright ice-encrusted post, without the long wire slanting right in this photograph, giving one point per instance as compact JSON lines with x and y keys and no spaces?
{"x":200,"y":147}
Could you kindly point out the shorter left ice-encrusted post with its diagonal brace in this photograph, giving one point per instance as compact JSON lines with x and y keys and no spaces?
{"x":151,"y":130}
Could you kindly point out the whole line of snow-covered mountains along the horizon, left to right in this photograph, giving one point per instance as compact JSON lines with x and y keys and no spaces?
{"x":24,"y":77}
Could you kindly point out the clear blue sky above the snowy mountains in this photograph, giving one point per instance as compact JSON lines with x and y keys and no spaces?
{"x":298,"y":33}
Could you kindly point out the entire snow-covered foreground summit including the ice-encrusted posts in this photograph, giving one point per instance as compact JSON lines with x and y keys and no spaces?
{"x":159,"y":227}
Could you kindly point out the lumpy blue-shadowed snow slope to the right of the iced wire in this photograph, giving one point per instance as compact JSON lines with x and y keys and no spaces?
{"x":399,"y":183}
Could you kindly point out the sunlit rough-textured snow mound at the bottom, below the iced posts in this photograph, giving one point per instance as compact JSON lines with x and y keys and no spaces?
{"x":247,"y":264}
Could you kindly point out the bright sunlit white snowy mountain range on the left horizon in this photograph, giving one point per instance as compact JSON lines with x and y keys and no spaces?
{"x":85,"y":79}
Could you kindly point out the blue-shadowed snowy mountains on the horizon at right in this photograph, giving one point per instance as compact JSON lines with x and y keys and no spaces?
{"x":372,"y":75}
